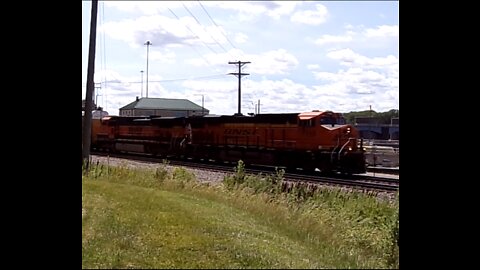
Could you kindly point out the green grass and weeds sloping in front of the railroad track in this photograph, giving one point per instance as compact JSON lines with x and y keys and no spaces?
{"x":155,"y":219}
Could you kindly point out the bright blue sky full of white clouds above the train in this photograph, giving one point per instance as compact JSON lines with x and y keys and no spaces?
{"x":305,"y":55}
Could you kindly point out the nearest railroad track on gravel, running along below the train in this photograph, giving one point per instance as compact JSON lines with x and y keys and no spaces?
{"x":362,"y":182}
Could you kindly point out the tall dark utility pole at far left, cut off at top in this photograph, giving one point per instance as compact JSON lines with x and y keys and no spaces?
{"x":87,"y":124}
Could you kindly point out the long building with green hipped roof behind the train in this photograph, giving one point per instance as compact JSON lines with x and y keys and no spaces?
{"x":167,"y":107}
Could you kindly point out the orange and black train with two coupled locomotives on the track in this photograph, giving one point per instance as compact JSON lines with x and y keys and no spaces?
{"x":311,"y":140}
